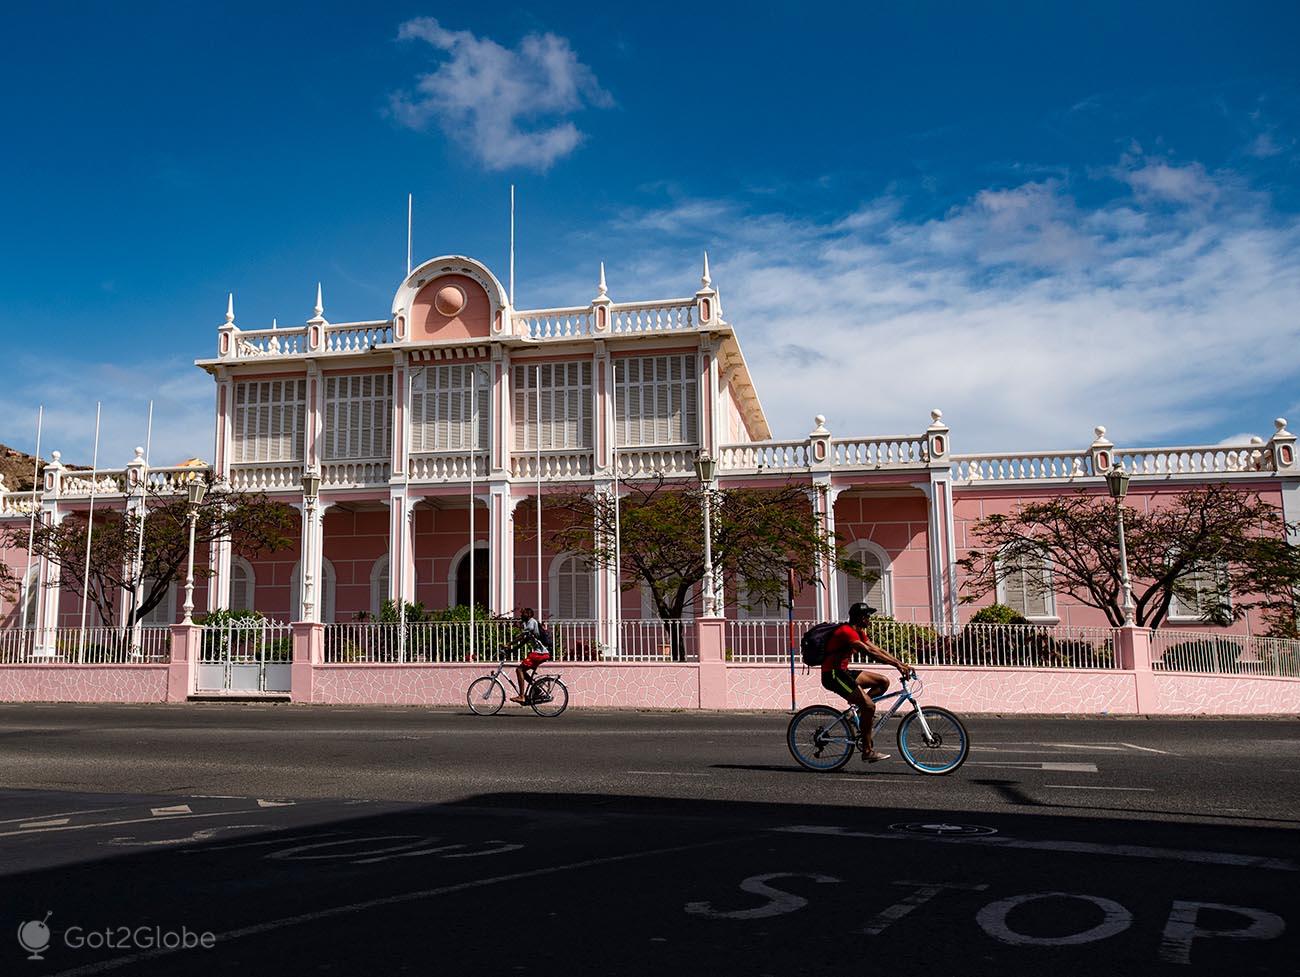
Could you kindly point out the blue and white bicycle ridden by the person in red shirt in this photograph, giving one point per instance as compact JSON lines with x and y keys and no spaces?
{"x":931,"y":741}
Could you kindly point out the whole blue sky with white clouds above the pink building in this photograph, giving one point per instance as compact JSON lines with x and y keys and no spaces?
{"x":1038,"y":218}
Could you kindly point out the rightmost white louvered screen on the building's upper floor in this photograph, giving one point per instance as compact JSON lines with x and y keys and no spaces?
{"x":657,"y":401}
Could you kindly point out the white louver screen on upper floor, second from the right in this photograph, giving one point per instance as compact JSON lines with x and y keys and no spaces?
{"x":565,"y":419}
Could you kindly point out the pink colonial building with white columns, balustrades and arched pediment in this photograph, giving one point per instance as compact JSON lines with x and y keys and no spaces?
{"x":432,"y":427}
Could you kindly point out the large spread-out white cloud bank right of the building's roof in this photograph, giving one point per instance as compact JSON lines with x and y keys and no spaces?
{"x":1026,"y":316}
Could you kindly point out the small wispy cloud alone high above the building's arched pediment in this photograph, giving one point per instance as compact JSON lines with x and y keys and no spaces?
{"x":508,"y":106}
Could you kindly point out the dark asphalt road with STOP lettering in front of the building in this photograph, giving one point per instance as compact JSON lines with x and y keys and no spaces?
{"x":411,"y":841}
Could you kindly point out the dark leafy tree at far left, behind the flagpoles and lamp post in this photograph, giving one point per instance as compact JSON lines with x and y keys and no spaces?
{"x":252,"y":522}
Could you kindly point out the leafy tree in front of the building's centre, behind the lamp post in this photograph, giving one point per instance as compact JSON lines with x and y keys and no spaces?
{"x":759,"y":535}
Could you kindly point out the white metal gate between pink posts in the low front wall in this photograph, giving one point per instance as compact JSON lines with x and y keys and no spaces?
{"x":248,"y":657}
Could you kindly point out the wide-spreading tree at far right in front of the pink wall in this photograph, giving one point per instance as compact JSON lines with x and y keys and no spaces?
{"x":1234,"y":536}
